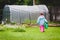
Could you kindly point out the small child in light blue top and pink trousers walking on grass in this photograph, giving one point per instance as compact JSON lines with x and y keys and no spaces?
{"x":41,"y":20}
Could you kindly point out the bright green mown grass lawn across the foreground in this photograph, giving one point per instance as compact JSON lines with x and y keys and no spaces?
{"x":52,"y":33}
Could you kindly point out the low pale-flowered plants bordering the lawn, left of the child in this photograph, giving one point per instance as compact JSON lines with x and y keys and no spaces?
{"x":19,"y":28}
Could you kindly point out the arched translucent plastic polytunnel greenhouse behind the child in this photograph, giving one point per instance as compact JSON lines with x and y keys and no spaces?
{"x":23,"y":13}
